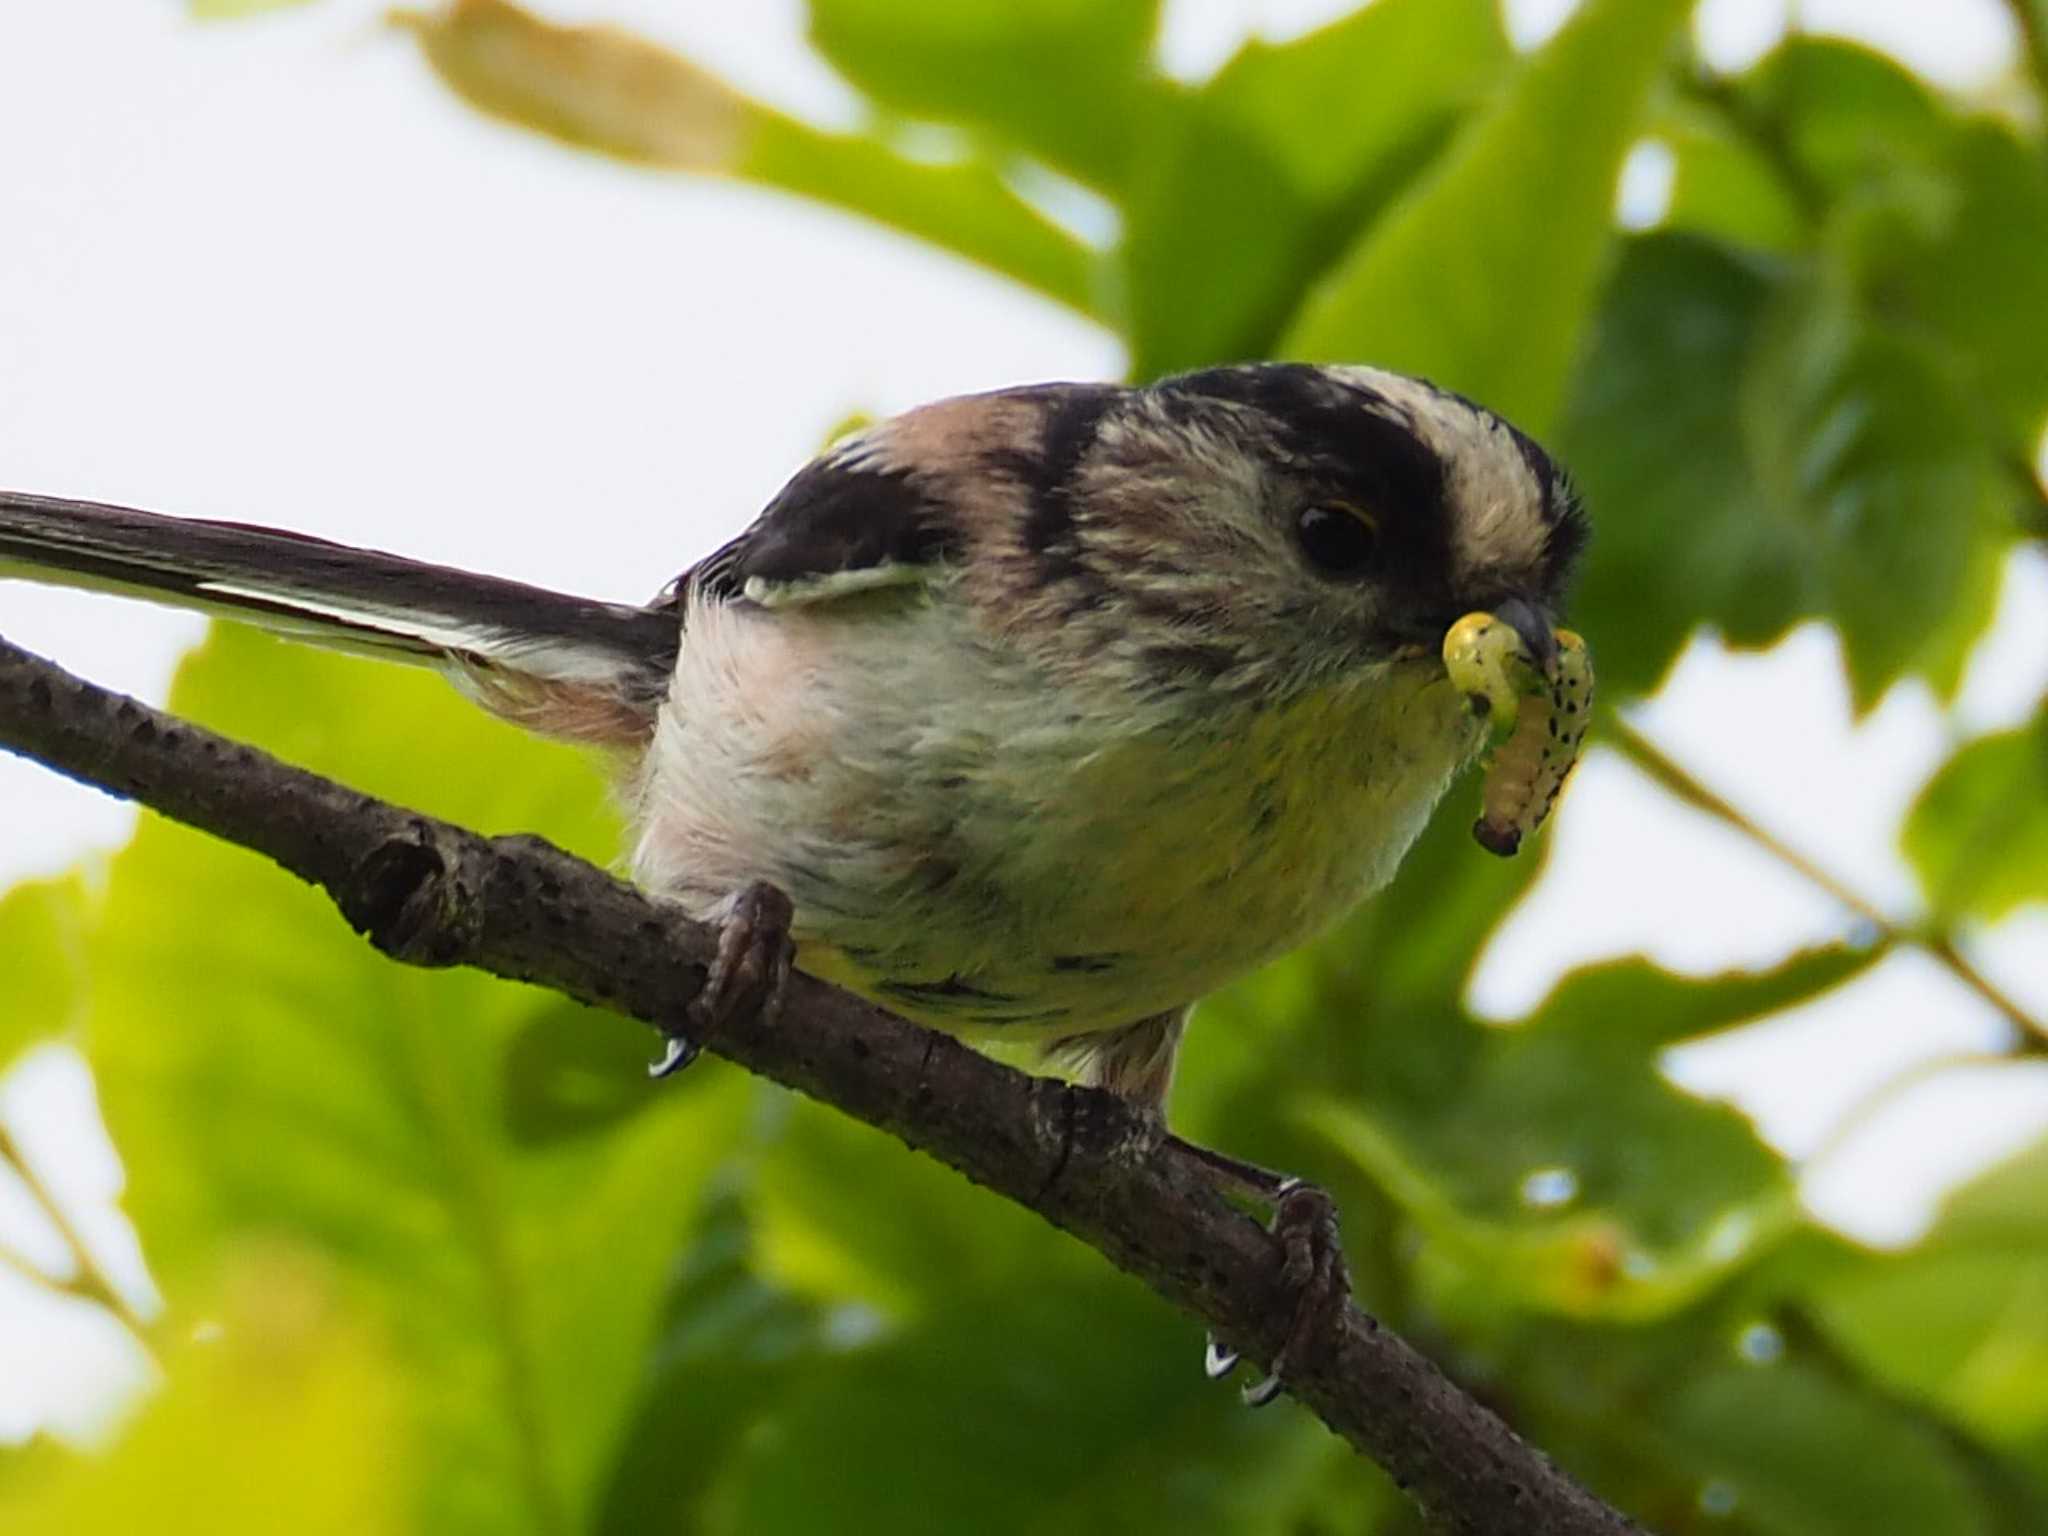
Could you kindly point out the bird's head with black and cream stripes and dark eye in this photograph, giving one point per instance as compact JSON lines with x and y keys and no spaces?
{"x":1271,"y":527}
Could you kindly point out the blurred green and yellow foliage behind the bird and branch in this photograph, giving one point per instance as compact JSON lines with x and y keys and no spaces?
{"x":431,"y":1256}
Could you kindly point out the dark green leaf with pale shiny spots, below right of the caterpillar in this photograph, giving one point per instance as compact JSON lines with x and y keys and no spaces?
{"x":1551,"y":1164}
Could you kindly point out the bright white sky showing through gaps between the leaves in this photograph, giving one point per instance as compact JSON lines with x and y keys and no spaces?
{"x":271,"y":271}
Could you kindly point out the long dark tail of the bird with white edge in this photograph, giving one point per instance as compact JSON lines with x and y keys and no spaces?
{"x":560,"y":665}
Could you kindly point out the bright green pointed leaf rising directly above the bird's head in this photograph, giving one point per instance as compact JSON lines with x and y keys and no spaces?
{"x":1486,"y":273}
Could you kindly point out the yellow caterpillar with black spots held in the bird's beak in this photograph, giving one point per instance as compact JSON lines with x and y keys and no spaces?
{"x":1537,"y":720}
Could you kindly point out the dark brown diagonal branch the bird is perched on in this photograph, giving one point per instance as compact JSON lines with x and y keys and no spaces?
{"x":433,"y":894}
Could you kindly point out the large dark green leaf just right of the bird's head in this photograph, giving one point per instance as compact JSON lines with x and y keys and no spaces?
{"x":1805,"y":458}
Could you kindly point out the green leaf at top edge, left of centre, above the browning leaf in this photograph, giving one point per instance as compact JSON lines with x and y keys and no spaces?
{"x":1064,"y":81}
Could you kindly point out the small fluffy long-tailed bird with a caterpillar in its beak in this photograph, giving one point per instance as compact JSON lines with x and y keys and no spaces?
{"x":1048,"y":712}
